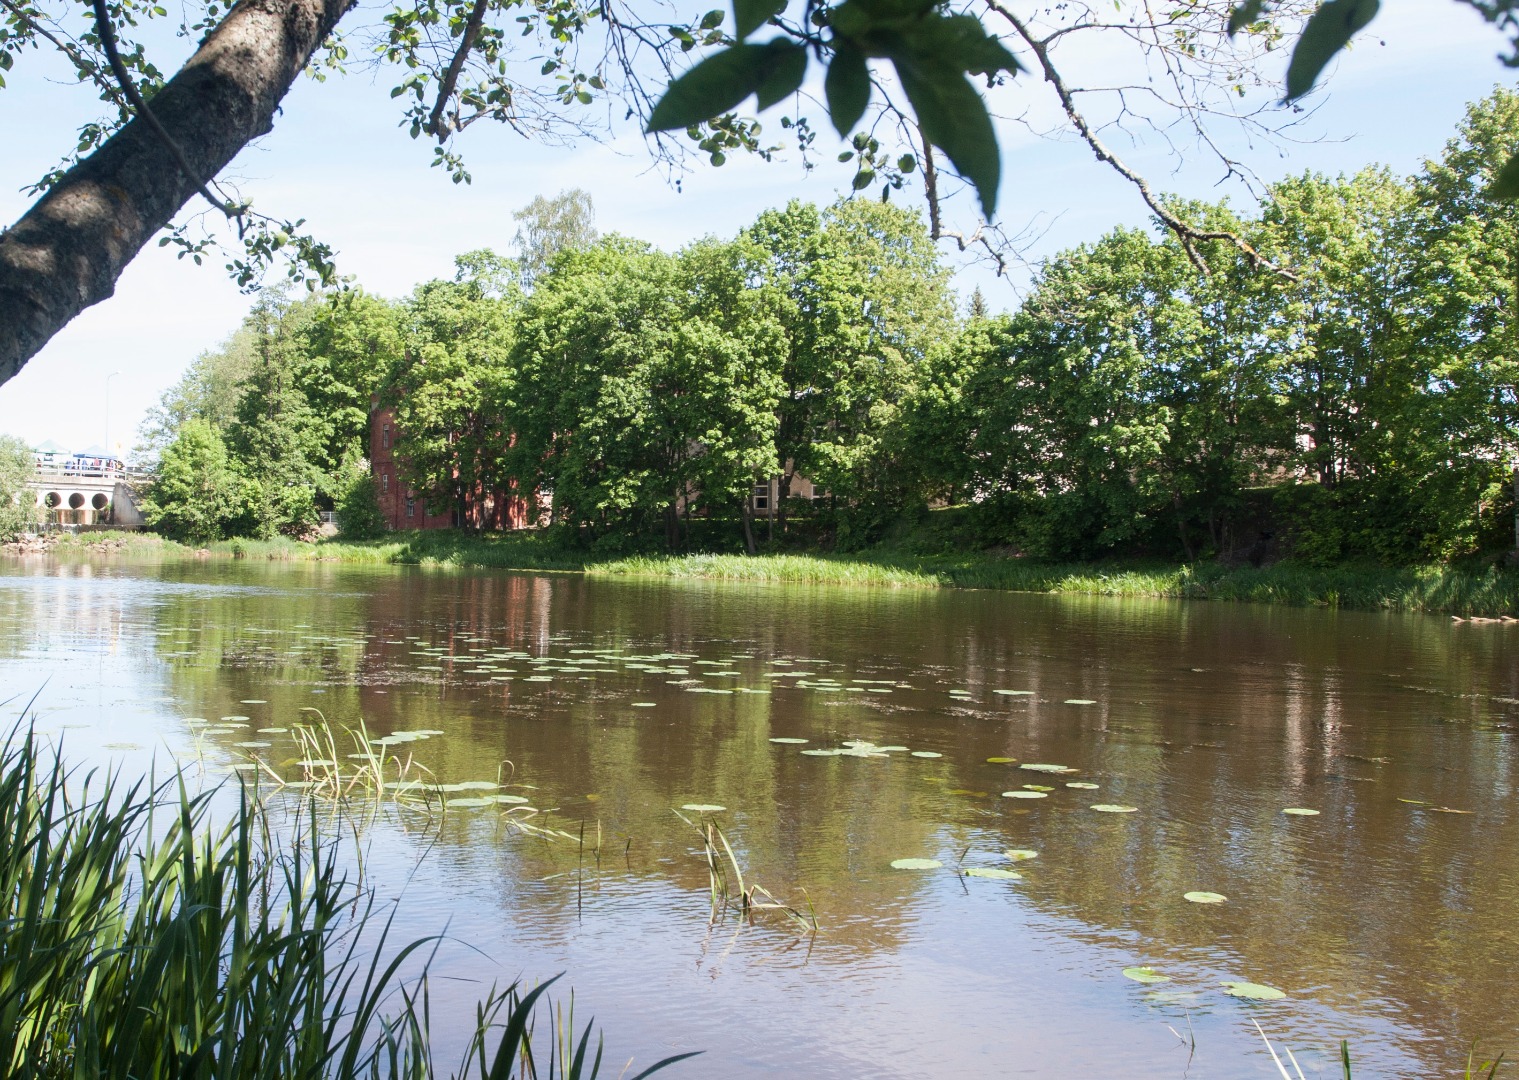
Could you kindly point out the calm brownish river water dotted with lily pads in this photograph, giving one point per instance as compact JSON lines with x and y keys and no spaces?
{"x":1391,"y":918}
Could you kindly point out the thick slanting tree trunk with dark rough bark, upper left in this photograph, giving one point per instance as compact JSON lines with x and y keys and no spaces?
{"x":69,"y":250}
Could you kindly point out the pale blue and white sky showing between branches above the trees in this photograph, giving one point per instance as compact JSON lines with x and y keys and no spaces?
{"x":338,"y":159}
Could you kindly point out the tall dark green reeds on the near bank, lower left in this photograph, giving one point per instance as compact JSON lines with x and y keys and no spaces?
{"x":141,"y":941}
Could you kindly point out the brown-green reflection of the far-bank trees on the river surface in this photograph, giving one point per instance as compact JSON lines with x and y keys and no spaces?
{"x":1374,"y":900}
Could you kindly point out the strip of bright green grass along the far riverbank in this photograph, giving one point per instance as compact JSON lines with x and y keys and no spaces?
{"x":1491,"y":593}
